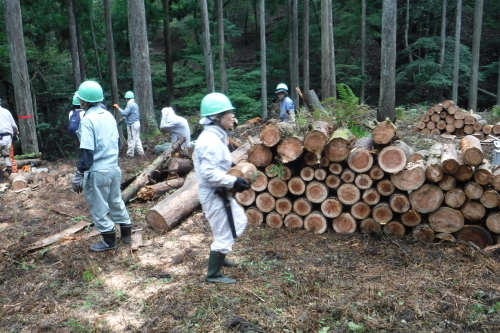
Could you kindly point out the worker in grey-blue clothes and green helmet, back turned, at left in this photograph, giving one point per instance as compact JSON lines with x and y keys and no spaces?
{"x":98,"y":174}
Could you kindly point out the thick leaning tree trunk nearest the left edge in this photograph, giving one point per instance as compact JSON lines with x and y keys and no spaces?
{"x":20,"y":76}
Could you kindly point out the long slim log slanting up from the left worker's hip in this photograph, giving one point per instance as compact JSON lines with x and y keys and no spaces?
{"x":144,"y":177}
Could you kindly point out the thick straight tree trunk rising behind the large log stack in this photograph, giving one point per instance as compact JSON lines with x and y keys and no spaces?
{"x":387,"y":100}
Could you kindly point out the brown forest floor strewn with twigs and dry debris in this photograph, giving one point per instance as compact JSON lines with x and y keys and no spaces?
{"x":288,"y":281}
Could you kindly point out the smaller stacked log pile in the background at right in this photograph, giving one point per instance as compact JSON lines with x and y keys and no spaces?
{"x":448,"y":118}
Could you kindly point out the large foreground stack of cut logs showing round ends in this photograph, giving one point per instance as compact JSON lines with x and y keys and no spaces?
{"x":328,"y":179}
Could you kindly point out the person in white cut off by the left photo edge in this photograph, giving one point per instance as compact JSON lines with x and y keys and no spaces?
{"x":8,"y":133}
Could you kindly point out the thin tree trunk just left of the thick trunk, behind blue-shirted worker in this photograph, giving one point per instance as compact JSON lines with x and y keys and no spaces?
{"x":110,"y":45}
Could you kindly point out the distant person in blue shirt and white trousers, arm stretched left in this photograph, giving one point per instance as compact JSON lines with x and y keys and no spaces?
{"x":131,"y":115}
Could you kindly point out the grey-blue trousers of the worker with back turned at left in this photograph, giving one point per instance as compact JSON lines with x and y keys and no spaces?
{"x":103,"y":195}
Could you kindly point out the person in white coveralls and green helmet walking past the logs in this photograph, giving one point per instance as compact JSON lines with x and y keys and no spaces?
{"x":212,"y":160}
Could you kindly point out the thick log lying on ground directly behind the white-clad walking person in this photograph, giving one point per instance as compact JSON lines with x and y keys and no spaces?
{"x":185,"y":200}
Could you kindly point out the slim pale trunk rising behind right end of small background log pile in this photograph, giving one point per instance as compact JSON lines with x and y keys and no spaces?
{"x":476,"y":43}
